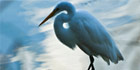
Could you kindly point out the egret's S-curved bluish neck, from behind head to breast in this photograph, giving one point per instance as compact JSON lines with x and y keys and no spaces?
{"x":61,"y":19}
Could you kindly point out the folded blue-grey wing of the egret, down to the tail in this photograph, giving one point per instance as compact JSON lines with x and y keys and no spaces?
{"x":93,"y":36}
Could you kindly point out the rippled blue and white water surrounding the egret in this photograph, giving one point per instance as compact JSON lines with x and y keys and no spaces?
{"x":24,"y":46}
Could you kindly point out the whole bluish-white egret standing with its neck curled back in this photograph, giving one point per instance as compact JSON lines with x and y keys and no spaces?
{"x":86,"y":32}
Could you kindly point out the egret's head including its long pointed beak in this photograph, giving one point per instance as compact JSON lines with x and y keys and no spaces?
{"x":60,"y":7}
